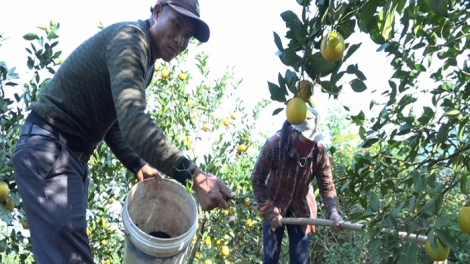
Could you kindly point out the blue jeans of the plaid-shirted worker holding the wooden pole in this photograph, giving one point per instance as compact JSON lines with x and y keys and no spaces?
{"x":298,"y":244}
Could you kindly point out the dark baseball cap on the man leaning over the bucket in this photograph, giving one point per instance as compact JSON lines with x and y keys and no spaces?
{"x":190,"y":8}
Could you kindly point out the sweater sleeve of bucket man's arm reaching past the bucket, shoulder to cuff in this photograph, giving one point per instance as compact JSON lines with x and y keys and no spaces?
{"x":128,"y":58}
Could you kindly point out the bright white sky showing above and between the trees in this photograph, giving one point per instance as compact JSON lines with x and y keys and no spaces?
{"x":241,"y":37}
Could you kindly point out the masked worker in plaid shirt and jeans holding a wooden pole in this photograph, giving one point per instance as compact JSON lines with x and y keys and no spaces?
{"x":282,"y":184}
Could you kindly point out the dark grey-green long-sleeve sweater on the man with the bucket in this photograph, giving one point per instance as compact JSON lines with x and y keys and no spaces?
{"x":99,"y":93}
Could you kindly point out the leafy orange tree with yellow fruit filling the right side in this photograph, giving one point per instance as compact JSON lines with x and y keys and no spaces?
{"x":410,"y":173}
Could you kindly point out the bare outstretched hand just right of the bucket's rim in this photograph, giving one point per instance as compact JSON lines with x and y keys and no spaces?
{"x":211,"y":191}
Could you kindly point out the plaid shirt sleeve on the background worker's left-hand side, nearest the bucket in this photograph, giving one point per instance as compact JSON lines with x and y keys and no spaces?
{"x":258,"y":180}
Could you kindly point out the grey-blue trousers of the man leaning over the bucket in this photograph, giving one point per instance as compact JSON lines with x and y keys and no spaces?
{"x":53,"y":185}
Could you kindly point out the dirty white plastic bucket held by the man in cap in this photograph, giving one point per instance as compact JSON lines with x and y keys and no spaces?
{"x":160,"y":220}
